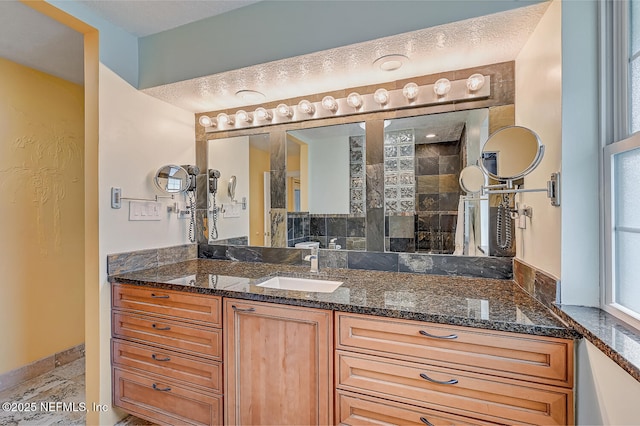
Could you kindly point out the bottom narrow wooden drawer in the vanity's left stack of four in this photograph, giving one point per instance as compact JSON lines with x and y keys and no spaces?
{"x":164,"y":402}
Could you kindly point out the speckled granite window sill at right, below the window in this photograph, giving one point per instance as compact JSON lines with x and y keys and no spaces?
{"x":616,"y":339}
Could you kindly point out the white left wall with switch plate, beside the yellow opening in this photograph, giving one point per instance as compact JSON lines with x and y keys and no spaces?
{"x":138,"y":134}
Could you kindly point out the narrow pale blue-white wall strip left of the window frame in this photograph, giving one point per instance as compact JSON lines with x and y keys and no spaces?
{"x":580,"y":151}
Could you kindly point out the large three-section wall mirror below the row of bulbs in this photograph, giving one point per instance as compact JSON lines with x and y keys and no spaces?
{"x":425,"y":209}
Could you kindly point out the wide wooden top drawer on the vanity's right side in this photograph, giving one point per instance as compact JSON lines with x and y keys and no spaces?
{"x":523,"y":357}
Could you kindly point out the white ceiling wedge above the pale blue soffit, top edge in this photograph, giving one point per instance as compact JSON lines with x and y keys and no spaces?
{"x":146,"y":17}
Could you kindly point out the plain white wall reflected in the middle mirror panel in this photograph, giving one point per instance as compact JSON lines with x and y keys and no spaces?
{"x":329,"y":175}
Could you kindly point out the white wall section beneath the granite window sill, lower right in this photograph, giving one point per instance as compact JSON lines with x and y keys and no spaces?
{"x":605,"y":393}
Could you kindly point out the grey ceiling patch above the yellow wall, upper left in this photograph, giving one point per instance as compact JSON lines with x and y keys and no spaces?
{"x":37,"y":41}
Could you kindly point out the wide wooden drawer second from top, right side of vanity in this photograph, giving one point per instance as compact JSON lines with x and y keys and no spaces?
{"x":469,"y":394}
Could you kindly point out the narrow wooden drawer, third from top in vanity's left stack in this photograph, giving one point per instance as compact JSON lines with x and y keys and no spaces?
{"x":168,"y":363}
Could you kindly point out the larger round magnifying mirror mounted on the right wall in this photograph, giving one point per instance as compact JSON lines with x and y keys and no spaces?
{"x":511,"y":153}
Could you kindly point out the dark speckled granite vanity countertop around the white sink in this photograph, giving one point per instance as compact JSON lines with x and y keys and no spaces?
{"x":475,"y":302}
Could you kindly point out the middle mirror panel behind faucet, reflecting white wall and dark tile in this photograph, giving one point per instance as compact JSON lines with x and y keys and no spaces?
{"x":326,"y":186}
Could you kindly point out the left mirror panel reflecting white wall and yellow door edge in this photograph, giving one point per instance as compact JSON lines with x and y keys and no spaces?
{"x":243,"y":160}
